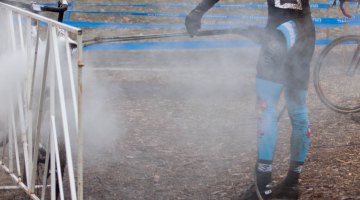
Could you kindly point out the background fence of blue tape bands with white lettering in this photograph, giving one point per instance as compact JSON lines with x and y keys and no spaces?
{"x":217,"y":18}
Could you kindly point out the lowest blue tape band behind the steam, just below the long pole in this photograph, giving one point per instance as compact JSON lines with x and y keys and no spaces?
{"x":126,"y":46}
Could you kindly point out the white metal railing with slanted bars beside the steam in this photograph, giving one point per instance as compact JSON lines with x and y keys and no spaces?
{"x":43,"y":111}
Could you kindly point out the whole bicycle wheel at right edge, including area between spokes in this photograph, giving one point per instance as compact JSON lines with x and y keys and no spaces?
{"x":337,"y":75}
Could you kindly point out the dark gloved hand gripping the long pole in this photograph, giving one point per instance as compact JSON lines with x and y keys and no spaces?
{"x":193,"y":21}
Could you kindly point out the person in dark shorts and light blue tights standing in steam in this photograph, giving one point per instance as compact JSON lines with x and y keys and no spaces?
{"x":283,"y":65}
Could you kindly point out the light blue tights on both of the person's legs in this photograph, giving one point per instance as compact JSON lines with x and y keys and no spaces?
{"x":268,"y":93}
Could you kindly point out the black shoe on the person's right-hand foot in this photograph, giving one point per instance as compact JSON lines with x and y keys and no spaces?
{"x":286,"y":191}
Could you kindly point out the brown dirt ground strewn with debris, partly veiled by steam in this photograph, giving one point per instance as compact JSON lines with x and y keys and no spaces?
{"x":181,"y":124}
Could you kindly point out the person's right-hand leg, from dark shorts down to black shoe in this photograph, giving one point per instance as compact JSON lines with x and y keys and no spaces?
{"x":298,"y":65}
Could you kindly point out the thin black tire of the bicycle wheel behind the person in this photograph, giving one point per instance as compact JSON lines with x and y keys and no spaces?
{"x":321,"y":64}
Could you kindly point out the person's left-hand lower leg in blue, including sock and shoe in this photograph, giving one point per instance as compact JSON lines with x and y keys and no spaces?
{"x":268,"y":94}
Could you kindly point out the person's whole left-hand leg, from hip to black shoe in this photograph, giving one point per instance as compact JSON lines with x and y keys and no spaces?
{"x":269,"y":84}
